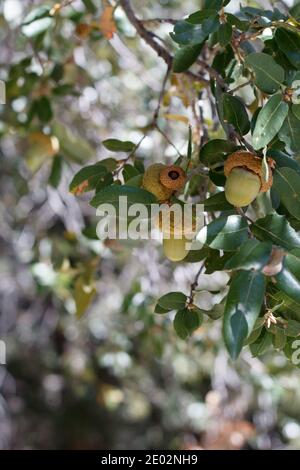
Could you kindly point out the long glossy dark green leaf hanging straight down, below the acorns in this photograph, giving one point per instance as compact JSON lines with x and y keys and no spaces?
{"x":243,"y":304}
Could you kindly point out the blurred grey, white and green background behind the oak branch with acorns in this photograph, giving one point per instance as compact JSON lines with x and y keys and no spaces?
{"x":96,"y":368}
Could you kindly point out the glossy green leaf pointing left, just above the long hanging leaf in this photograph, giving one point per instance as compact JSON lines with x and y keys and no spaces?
{"x":251,"y":255}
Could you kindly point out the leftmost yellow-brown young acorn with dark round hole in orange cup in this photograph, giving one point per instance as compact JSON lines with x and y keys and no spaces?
{"x":162,"y":180}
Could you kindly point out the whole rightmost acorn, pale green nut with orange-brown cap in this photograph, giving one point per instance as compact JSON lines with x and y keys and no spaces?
{"x":245,"y":178}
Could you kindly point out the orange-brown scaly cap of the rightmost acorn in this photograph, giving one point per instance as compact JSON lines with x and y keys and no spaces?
{"x":250,"y":162}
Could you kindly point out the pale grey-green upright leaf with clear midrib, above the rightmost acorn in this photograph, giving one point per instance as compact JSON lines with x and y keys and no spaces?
{"x":269,"y":121}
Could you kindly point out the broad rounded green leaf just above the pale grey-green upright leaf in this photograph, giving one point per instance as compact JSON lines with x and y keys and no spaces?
{"x":268,"y":74}
